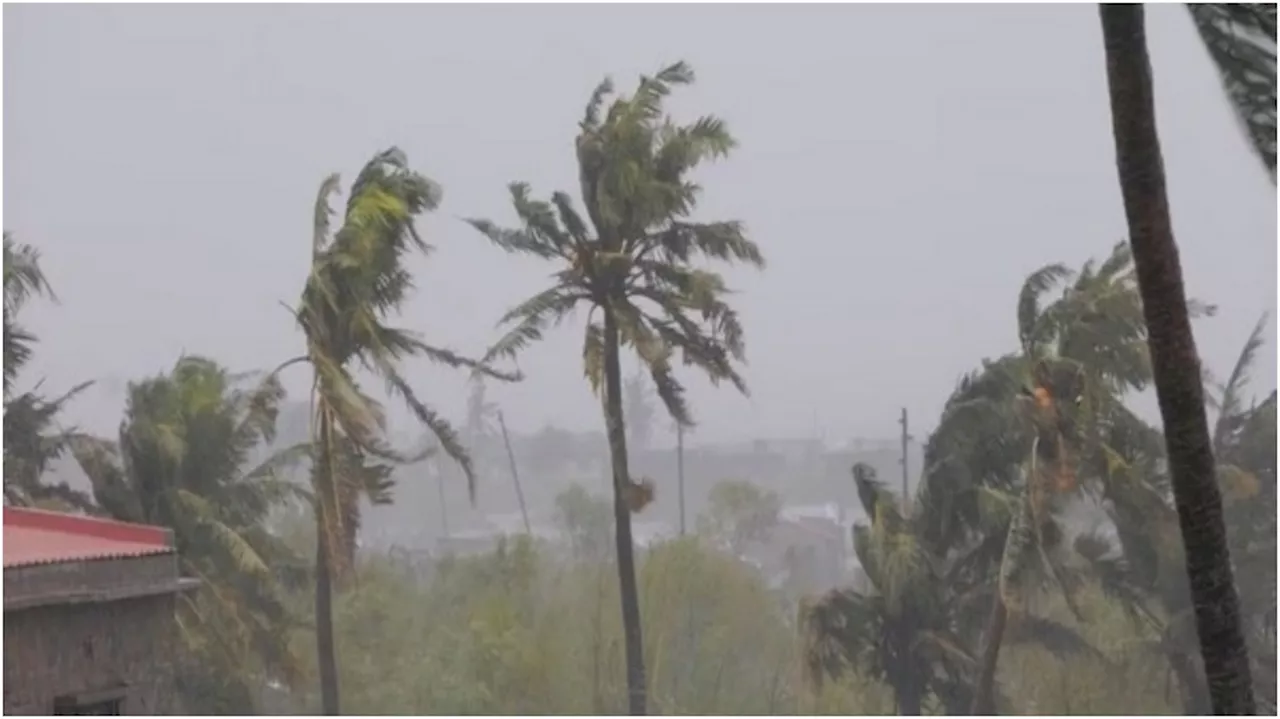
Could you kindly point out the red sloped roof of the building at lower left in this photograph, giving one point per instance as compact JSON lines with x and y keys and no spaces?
{"x":35,"y":537}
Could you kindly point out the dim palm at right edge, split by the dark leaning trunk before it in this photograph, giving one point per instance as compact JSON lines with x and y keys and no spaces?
{"x":1148,"y":575}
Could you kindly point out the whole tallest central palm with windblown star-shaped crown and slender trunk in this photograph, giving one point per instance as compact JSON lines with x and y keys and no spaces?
{"x":636,"y":265}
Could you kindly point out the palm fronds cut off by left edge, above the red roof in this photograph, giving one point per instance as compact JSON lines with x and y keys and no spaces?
{"x":30,"y":419}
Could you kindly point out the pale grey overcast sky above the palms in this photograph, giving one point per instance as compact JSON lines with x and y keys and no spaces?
{"x":903,"y":167}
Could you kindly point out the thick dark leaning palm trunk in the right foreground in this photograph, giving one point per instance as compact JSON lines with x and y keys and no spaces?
{"x":1176,"y":364}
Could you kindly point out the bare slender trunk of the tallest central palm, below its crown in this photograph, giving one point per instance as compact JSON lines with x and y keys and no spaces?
{"x":623,"y":520}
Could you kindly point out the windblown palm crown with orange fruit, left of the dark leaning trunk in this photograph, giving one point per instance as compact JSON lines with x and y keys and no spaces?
{"x":1078,"y":355}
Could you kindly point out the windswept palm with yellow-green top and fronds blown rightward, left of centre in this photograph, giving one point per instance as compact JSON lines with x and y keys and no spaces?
{"x":358,"y":281}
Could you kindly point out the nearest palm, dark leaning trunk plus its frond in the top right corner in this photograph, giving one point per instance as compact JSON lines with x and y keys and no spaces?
{"x":1244,"y":44}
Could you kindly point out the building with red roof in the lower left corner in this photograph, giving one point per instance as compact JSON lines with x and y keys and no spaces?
{"x":89,"y":615}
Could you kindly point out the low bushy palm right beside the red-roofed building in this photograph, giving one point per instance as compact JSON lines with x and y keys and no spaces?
{"x":182,"y":461}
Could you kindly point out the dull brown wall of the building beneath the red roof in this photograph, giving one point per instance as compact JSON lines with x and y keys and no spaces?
{"x":51,"y":652}
